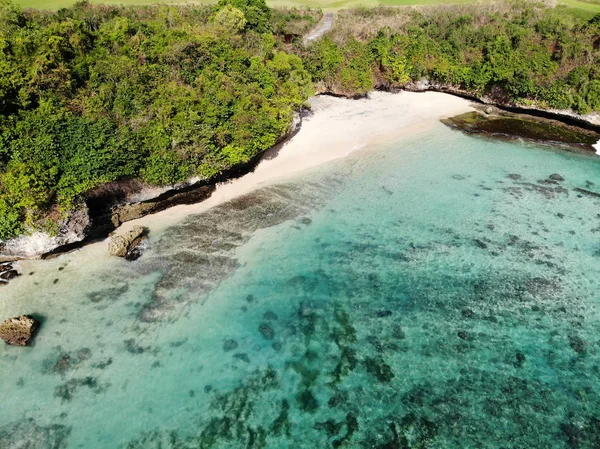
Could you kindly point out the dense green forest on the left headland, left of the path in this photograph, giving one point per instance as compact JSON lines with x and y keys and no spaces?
{"x":93,"y":94}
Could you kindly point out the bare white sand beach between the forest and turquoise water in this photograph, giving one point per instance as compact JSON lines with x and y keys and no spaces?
{"x":336,"y":128}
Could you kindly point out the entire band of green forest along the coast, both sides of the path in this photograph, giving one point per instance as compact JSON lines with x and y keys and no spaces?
{"x":94,"y":93}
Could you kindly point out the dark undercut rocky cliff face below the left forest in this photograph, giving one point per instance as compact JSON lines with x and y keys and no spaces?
{"x":105,"y":208}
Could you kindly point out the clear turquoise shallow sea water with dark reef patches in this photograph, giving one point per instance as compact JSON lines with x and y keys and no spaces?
{"x":414,"y":296}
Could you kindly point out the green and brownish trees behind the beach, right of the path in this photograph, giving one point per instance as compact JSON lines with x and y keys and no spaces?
{"x":515,"y":52}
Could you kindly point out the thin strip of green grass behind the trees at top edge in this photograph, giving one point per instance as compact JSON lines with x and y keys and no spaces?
{"x":583,"y":8}
